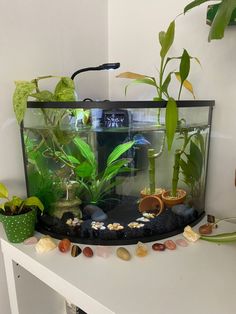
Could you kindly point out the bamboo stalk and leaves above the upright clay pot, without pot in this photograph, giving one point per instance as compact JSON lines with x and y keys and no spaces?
{"x":191,"y":164}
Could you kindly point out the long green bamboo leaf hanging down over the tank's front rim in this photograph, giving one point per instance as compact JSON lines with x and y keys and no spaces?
{"x":171,"y":121}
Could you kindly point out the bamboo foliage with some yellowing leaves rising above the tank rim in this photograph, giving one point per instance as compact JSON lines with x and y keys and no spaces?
{"x":161,"y":85}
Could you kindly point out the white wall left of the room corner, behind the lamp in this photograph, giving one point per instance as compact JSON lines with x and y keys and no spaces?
{"x":39,"y":38}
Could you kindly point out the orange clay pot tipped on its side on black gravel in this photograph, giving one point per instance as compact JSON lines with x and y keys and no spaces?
{"x":151,"y":203}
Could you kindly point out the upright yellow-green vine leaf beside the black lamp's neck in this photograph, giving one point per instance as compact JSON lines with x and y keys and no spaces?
{"x":64,"y":90}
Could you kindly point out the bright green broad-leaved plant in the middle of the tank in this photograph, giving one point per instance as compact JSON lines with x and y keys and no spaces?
{"x":96,"y":185}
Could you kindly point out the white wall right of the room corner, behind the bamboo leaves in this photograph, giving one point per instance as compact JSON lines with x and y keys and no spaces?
{"x":133,"y":29}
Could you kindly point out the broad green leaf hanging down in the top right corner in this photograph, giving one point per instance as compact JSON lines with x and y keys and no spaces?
{"x":221,"y":19}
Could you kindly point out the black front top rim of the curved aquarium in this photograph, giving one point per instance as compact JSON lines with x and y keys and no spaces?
{"x":117,"y":104}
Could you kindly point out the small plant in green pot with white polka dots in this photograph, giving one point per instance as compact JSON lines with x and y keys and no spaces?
{"x":18,"y":216}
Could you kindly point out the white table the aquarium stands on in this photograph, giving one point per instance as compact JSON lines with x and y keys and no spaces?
{"x":200,"y":278}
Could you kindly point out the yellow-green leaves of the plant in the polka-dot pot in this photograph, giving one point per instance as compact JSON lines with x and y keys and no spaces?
{"x":16,"y":205}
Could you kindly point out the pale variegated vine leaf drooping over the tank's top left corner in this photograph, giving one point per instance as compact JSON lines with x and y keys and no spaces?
{"x":20,"y":97}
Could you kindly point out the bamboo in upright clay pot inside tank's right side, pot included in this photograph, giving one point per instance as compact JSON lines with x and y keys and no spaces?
{"x":188,"y":160}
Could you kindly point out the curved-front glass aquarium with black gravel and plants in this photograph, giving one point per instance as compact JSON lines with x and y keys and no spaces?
{"x":105,"y":175}
